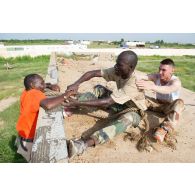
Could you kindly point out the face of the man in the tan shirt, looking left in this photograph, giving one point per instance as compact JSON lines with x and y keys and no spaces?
{"x":123,"y":69}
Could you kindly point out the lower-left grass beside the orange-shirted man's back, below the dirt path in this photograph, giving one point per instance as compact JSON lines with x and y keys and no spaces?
{"x":8,"y":135}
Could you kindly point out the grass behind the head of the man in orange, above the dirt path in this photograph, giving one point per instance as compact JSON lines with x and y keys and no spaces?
{"x":11,"y":81}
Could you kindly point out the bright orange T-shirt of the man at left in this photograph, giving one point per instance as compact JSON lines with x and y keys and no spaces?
{"x":29,"y":109}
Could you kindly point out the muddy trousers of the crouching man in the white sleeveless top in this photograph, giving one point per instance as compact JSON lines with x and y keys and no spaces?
{"x":171,"y":110}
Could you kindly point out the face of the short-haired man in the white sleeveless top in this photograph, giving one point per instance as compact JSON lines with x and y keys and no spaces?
{"x":165,"y":72}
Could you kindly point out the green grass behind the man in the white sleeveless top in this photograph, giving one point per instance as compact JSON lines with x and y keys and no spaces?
{"x":185,"y":68}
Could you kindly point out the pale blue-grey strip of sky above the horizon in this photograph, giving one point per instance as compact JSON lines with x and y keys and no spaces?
{"x":167,"y":37}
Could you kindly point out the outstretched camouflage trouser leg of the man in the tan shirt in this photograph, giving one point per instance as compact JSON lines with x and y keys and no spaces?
{"x":130,"y":119}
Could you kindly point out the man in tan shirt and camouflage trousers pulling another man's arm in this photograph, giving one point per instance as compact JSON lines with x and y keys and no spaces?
{"x":125,"y":95}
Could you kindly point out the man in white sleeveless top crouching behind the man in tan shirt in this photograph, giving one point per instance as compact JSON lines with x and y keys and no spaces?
{"x":167,"y":88}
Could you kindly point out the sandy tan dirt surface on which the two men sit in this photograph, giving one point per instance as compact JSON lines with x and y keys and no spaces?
{"x":119,"y":150}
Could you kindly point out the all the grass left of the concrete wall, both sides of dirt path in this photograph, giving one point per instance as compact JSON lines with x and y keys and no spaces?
{"x":11,"y":84}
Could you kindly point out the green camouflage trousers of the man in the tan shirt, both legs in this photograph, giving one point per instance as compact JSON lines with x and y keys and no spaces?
{"x":121,"y":124}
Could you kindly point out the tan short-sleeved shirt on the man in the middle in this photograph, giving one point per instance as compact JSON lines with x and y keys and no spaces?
{"x":126,"y":89}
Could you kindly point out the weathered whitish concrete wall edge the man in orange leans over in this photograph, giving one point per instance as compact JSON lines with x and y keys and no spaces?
{"x":50,"y":142}
